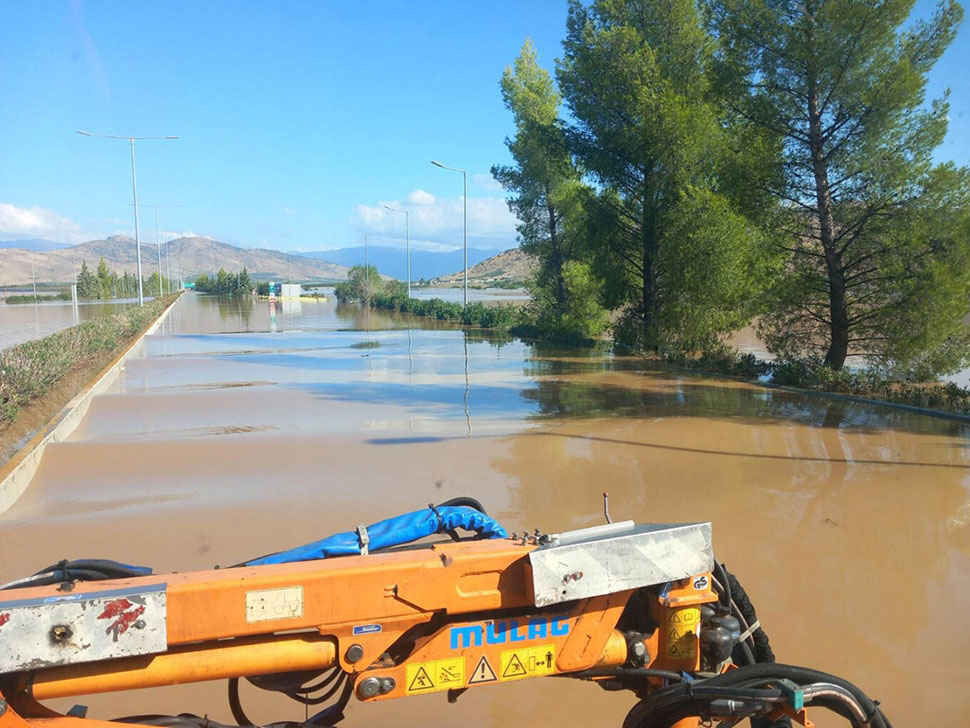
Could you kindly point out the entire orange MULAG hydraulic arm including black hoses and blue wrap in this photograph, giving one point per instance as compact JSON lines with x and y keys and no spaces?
{"x":645,"y":608}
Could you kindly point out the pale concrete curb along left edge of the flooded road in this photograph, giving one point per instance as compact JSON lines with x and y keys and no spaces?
{"x":17,"y":473}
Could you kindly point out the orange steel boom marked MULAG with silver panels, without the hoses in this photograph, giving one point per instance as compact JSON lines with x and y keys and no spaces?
{"x":621,"y":604}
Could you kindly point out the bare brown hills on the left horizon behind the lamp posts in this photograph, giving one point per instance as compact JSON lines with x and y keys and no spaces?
{"x":194,"y":256}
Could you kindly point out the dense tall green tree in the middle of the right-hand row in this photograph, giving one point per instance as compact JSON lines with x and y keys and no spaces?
{"x":634,"y":79}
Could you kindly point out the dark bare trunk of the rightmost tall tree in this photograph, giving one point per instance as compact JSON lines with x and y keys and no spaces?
{"x":838,"y":313}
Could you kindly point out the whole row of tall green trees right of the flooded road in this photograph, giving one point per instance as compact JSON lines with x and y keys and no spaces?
{"x":737,"y":160}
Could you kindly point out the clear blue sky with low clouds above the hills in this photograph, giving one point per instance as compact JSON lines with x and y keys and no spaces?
{"x":297,"y":120}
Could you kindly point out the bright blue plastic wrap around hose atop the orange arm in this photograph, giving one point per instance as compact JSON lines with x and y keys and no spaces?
{"x":392,"y":532}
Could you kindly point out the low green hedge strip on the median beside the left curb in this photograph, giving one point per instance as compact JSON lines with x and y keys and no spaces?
{"x":29,"y":370}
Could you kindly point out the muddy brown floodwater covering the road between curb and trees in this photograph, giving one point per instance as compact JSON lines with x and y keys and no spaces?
{"x":233,"y":435}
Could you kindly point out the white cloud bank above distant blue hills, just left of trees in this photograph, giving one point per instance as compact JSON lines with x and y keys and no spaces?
{"x":436,"y":224}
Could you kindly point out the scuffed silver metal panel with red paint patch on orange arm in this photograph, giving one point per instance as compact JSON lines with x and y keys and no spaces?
{"x":73,"y":628}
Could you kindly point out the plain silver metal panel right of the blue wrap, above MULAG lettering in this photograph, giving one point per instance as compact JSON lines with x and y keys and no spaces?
{"x":621,"y":556}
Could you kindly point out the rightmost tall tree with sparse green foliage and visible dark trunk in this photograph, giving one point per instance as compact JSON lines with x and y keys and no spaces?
{"x":875,"y":235}
